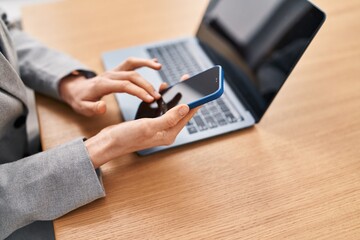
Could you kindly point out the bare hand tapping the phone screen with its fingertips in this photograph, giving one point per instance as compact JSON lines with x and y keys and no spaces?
{"x":84,"y":95}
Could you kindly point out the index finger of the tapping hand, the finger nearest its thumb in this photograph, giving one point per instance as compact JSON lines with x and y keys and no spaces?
{"x":107,"y":86}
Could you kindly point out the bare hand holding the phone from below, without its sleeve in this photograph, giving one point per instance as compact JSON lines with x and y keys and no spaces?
{"x":118,"y":140}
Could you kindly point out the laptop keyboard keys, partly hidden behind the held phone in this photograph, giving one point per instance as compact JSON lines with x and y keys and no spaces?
{"x":176,"y":60}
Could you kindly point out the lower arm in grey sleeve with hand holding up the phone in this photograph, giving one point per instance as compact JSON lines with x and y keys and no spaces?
{"x":50,"y":184}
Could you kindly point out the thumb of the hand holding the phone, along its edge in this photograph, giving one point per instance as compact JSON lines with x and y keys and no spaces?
{"x":172,"y":117}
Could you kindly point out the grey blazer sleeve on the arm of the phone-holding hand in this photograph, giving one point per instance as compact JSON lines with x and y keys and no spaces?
{"x":46,"y":185}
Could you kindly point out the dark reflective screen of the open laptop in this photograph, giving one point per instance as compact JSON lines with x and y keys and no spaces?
{"x":258,"y":43}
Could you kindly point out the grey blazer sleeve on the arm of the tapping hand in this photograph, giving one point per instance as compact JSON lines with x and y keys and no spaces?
{"x":42,"y":68}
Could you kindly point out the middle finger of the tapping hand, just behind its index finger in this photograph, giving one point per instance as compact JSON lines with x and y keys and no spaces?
{"x":135,"y":78}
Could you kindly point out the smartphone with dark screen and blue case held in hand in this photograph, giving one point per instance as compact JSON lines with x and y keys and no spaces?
{"x":195,"y":91}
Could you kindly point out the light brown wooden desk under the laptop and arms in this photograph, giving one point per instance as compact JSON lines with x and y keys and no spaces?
{"x":294,"y":175}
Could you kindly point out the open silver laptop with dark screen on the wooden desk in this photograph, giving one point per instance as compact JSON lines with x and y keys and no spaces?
{"x":257,"y":43}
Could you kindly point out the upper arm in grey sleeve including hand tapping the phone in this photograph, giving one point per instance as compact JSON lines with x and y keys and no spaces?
{"x":50,"y":72}
